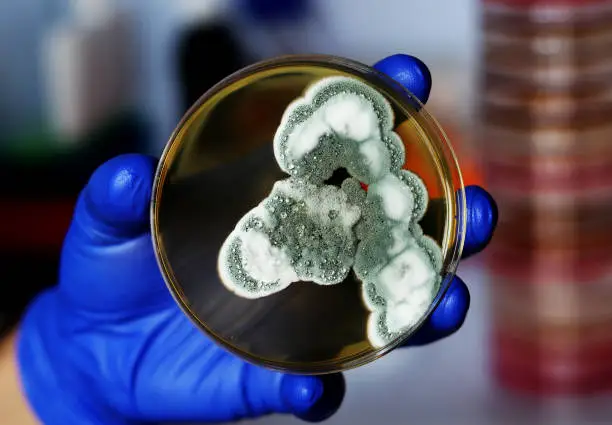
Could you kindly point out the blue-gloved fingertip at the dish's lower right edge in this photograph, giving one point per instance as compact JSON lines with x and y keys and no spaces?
{"x":447,"y":318}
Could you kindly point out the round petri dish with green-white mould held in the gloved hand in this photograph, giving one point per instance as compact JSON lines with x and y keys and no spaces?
{"x":282,"y":188}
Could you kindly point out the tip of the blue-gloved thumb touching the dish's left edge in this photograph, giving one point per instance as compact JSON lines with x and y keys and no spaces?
{"x":118,"y":193}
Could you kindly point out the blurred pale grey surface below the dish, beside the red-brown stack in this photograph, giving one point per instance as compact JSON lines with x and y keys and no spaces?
{"x":449,"y":383}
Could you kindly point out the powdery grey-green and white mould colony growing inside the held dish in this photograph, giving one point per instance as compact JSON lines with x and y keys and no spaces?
{"x":309,"y":231}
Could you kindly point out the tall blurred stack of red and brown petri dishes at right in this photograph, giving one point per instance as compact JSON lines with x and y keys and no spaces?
{"x":546,"y":115}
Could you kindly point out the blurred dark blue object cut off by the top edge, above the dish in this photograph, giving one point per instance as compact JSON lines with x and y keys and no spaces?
{"x":276,"y":10}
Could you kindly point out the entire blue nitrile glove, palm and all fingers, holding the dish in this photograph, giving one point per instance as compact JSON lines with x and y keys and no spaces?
{"x":108,"y":345}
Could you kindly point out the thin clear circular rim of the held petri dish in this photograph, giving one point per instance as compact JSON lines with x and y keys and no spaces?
{"x":444,"y":151}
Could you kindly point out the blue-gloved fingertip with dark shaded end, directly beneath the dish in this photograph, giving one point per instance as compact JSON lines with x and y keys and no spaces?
{"x":313,"y":398}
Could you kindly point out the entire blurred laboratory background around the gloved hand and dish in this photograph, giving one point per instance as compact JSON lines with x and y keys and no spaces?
{"x":522,"y":87}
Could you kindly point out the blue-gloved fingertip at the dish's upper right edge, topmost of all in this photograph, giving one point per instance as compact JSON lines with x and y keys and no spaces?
{"x":410,"y":72}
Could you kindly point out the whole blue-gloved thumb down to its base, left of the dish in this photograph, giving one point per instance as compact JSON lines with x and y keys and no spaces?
{"x":108,"y":263}
